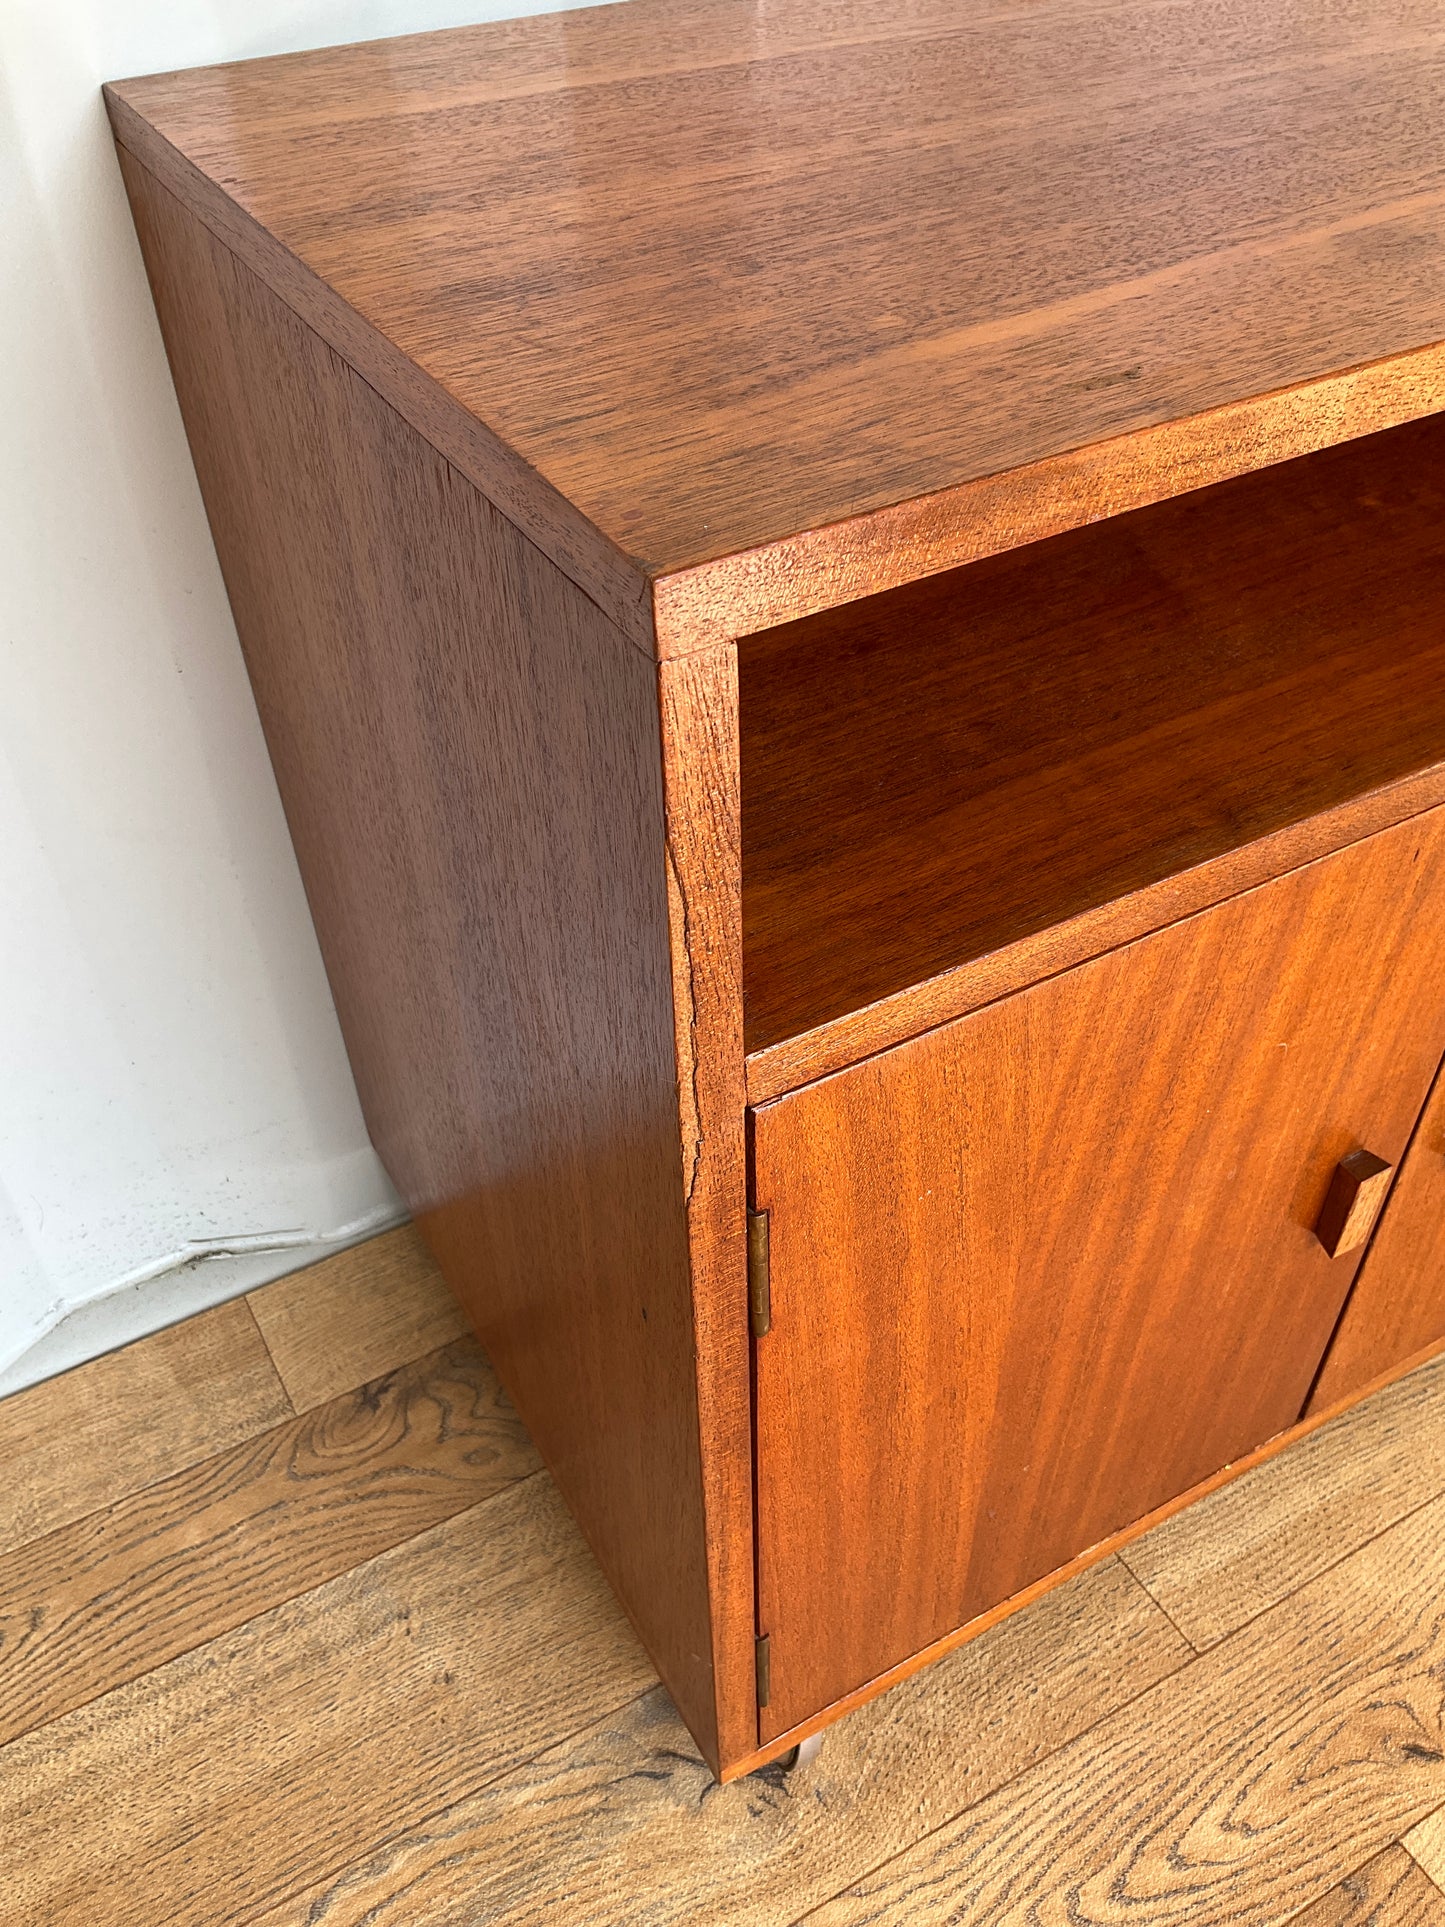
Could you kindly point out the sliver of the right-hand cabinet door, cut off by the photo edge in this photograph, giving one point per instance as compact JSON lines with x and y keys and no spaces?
{"x":1398,"y":1304}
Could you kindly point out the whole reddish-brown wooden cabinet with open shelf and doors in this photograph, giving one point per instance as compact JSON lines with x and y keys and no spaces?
{"x":849,"y":606}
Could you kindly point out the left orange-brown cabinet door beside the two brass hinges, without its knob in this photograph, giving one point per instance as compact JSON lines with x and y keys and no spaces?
{"x":1051,"y":1265}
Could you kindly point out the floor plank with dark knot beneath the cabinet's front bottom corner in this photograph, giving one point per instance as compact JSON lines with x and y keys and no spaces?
{"x":625,"y":1824}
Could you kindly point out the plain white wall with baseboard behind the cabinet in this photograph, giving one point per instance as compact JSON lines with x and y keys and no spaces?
{"x":176,"y":1113}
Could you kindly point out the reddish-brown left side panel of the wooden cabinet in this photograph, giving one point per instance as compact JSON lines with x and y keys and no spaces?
{"x":471,"y":764}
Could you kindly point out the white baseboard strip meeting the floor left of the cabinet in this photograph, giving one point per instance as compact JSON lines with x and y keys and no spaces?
{"x":176,"y":1288}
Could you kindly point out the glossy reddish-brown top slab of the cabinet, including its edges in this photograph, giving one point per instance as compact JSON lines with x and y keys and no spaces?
{"x":750,"y":309}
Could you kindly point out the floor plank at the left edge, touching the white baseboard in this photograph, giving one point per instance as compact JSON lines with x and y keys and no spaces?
{"x":117,"y":1425}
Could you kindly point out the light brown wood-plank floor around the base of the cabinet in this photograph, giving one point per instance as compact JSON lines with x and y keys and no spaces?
{"x":294,"y":1631}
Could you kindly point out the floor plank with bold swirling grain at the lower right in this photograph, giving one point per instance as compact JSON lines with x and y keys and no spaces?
{"x":1238,"y":1791}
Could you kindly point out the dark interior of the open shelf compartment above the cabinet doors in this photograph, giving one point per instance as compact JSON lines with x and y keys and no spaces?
{"x":939,"y":772}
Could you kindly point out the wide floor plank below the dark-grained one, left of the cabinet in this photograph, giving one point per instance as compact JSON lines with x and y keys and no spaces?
{"x":224,"y":1782}
